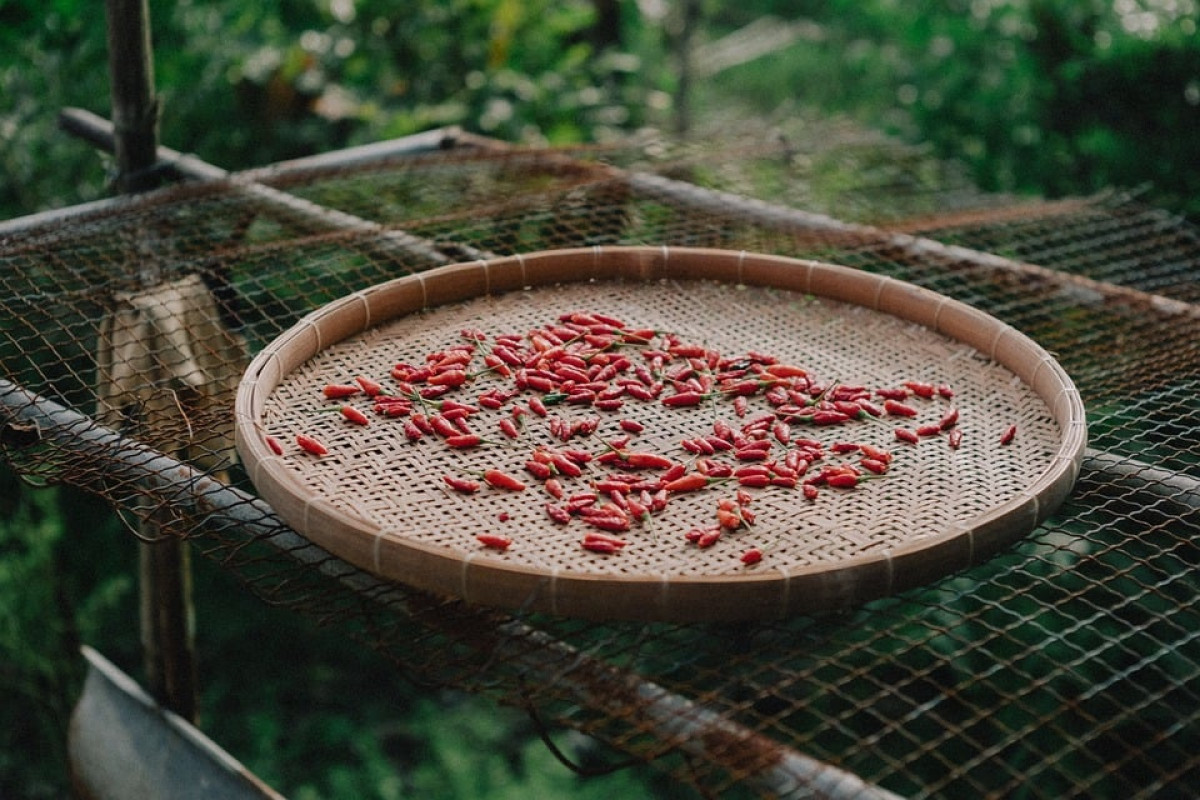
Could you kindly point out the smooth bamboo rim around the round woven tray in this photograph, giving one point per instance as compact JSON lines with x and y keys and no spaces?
{"x":769,"y":593}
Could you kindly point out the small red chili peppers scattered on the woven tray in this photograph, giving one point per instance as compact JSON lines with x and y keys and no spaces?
{"x":595,"y":474}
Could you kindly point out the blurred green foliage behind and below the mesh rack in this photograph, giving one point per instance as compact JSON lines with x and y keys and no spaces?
{"x":1041,"y":97}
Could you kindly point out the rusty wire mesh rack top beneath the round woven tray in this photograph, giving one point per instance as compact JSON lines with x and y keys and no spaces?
{"x":1069,"y":666}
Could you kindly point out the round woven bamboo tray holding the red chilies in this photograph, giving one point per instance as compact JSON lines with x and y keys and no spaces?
{"x":380,"y":502}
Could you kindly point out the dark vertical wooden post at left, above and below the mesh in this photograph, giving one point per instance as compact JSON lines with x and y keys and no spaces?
{"x":165,"y":567}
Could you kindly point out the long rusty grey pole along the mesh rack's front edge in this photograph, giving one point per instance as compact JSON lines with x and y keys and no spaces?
{"x":766,"y":765}
